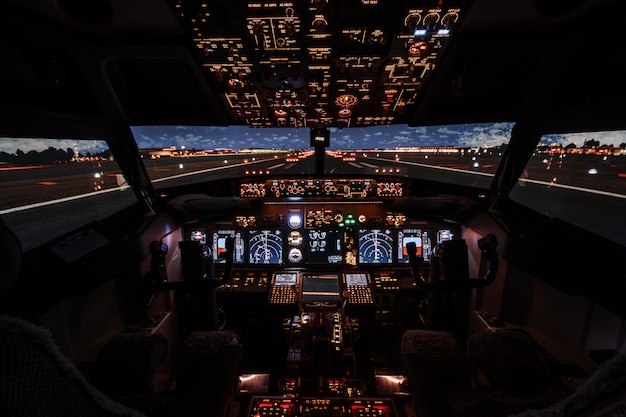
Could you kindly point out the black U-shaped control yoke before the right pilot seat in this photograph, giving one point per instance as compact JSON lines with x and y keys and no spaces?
{"x":449,"y":269}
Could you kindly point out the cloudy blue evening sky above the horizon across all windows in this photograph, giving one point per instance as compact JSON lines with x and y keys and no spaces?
{"x":376,"y":137}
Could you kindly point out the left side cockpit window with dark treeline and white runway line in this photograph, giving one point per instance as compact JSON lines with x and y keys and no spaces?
{"x":53,"y":186}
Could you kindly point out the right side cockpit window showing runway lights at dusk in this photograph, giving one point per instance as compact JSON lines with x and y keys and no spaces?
{"x":579,"y":178}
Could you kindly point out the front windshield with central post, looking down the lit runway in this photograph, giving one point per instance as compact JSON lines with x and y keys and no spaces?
{"x":466,"y":154}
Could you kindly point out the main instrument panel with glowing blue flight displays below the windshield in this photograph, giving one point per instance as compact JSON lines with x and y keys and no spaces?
{"x":321,"y":234}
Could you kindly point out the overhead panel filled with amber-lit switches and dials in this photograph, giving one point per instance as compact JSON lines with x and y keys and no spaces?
{"x":297,"y":64}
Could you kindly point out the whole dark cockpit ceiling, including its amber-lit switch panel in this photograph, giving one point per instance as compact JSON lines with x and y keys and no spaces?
{"x":341,"y":63}
